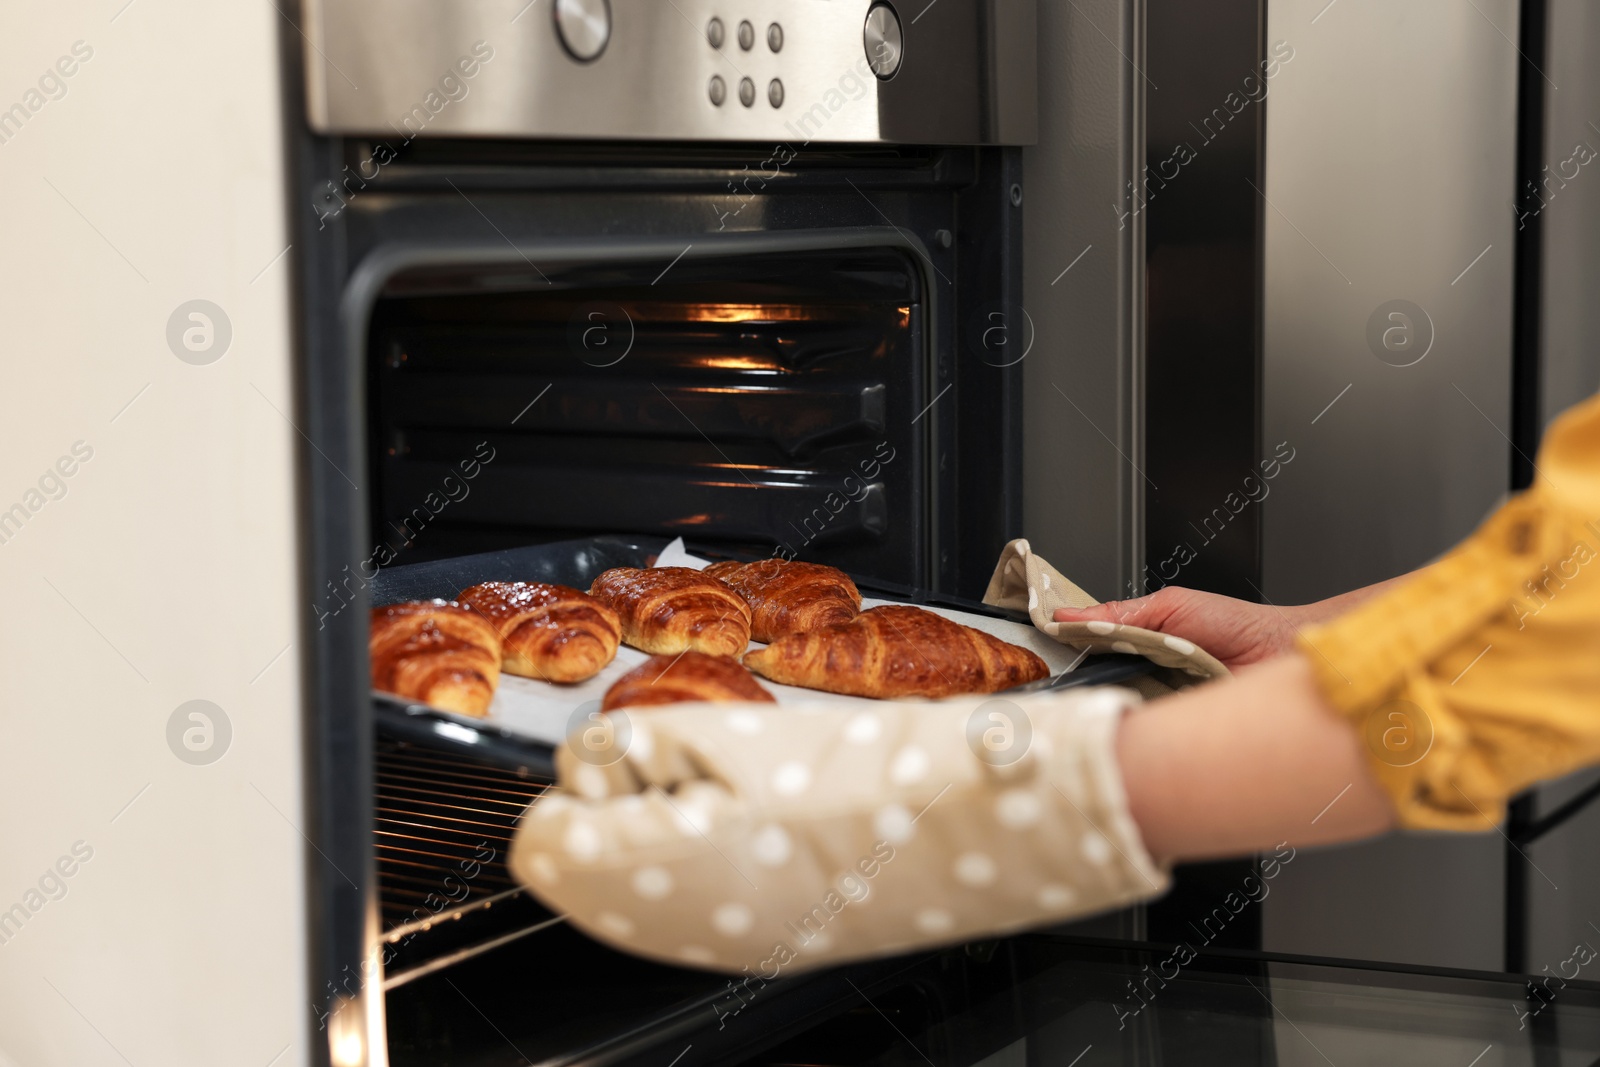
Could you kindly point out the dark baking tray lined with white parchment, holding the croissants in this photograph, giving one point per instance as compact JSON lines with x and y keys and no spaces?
{"x":529,"y":717}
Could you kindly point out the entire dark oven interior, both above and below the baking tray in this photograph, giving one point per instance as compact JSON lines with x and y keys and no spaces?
{"x":754,"y":404}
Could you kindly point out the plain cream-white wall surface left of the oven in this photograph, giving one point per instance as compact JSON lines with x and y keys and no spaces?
{"x":167,"y":570}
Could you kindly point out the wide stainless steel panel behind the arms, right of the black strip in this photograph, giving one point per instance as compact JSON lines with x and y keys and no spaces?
{"x":1391,"y":166}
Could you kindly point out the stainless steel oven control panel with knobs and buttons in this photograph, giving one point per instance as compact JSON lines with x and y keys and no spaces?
{"x":650,"y":70}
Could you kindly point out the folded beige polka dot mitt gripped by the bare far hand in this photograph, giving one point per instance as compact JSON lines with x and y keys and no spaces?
{"x":1026,"y":583}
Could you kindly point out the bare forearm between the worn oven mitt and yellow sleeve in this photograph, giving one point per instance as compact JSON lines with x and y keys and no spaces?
{"x":1247,"y":764}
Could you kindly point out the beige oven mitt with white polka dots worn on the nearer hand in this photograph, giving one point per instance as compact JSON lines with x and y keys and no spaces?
{"x":748,"y":837}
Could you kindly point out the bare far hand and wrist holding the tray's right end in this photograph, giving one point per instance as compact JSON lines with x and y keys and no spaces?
{"x":1234,"y":631}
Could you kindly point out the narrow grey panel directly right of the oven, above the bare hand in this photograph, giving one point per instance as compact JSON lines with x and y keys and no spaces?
{"x":1082,"y":266}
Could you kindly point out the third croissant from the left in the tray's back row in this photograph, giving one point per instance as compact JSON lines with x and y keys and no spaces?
{"x":671,"y":609}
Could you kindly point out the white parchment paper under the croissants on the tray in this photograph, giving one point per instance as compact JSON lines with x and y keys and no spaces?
{"x":546,"y":713}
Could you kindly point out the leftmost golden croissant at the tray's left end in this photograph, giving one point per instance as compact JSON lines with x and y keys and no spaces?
{"x":436,"y":652}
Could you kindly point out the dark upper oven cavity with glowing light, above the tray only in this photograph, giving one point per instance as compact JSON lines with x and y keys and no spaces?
{"x":761,"y":404}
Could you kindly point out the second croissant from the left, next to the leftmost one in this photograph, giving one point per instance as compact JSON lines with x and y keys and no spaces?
{"x":550,"y":633}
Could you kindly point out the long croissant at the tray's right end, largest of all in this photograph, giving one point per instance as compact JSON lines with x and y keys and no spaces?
{"x":897,"y":650}
